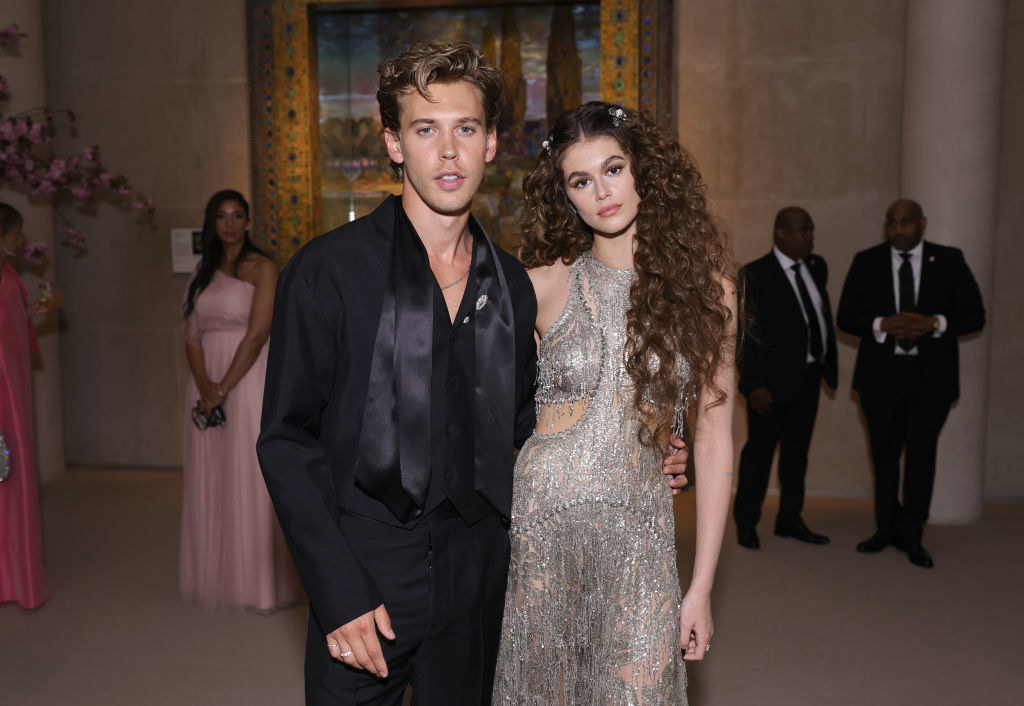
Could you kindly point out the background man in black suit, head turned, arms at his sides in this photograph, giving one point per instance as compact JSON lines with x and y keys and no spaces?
{"x":790,"y":350}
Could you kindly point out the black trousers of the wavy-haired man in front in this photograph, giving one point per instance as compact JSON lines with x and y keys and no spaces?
{"x":444,"y":588}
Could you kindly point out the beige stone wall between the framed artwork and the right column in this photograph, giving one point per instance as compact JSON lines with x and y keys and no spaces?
{"x":798,"y":103}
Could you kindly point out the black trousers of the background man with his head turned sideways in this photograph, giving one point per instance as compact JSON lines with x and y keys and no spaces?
{"x":789,"y":426}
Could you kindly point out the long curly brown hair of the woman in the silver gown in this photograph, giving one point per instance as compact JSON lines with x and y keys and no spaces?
{"x":676,"y":303}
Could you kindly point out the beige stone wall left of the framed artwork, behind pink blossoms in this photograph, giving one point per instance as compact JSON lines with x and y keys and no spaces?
{"x":162,"y":88}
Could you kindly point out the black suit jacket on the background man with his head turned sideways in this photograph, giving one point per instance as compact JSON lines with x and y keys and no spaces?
{"x":775,"y":353}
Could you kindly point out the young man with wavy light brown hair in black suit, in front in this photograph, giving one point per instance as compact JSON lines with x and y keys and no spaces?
{"x":400,"y":381}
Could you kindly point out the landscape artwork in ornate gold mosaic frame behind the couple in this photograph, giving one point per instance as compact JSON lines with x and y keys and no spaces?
{"x":319,"y":157}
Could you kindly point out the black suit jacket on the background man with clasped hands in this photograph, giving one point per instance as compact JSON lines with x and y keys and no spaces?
{"x":947,"y":287}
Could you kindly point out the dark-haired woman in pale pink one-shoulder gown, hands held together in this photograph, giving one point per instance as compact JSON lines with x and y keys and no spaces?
{"x":233,"y":552}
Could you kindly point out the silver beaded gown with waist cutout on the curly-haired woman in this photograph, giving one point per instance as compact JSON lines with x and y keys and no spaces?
{"x":592,"y":609}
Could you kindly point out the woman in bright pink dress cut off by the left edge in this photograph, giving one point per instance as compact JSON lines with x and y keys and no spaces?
{"x":22,"y":576}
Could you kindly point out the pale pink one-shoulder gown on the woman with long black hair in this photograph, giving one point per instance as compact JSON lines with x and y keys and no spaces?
{"x":234,"y":555}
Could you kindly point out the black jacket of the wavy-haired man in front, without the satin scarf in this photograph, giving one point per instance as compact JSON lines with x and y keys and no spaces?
{"x":325,"y":324}
